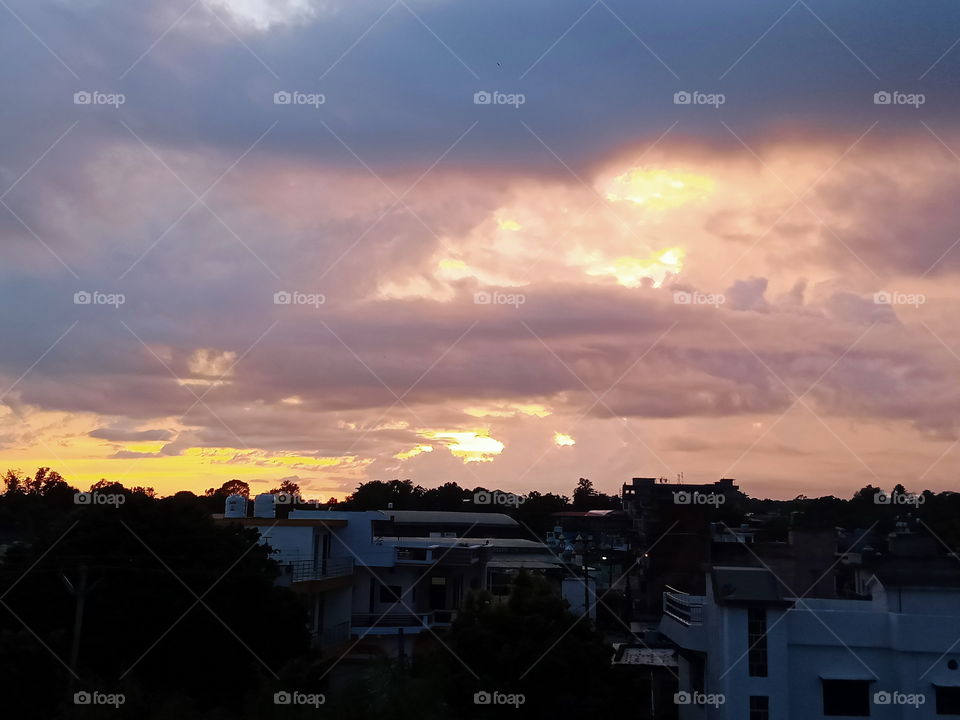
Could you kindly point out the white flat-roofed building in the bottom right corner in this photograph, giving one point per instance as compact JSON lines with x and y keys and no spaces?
{"x":748,"y":652}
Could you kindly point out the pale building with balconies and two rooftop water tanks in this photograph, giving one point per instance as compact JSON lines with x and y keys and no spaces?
{"x":383,"y":576}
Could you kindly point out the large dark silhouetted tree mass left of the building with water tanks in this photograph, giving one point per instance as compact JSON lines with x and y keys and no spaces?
{"x":146,"y":561}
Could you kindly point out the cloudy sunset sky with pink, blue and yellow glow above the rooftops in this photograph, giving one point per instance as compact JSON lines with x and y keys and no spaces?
{"x":502,"y":244}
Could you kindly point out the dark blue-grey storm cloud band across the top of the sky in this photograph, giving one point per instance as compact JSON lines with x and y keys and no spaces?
{"x":400,"y":96}
